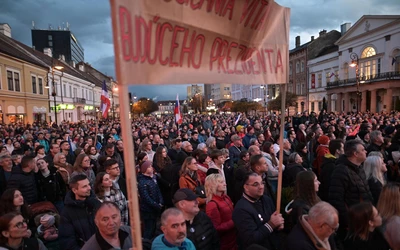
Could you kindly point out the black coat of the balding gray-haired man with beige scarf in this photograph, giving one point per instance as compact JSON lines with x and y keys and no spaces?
{"x":298,"y":239}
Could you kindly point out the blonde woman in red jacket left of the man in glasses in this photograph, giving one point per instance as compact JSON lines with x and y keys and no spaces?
{"x":220,"y":208}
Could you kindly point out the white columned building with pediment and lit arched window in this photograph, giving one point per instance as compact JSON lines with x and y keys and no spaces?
{"x":372,"y":46}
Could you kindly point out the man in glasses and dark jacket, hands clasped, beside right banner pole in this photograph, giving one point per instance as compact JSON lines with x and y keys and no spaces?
{"x":255,"y":216}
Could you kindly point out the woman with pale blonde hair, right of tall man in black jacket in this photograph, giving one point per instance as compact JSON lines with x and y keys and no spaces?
{"x":374,"y":168}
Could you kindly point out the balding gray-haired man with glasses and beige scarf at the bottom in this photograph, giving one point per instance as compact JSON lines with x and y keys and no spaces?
{"x":315,"y":230}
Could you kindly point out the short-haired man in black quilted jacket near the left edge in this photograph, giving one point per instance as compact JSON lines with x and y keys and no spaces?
{"x":23,"y":178}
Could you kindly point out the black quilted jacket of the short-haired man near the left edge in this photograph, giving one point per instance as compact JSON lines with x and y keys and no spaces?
{"x":25,"y":183}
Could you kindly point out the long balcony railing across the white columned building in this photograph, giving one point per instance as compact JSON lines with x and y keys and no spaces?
{"x":394,"y":75}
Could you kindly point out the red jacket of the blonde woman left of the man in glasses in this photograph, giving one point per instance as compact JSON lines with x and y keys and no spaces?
{"x":220,"y":210}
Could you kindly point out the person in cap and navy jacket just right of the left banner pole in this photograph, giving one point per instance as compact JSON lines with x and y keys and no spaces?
{"x":151,"y":201}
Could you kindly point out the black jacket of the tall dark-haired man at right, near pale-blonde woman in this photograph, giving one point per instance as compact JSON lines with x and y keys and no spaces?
{"x":348,"y":187}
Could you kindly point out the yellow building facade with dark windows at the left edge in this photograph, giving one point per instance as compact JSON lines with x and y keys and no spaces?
{"x":23,"y":93}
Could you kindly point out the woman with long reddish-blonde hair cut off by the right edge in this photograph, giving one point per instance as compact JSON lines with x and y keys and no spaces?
{"x":389,"y":208}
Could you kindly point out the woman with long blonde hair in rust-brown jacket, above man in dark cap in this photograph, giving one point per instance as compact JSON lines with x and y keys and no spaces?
{"x":189,"y":179}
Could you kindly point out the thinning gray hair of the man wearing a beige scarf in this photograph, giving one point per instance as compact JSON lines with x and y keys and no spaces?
{"x":322,"y":212}
